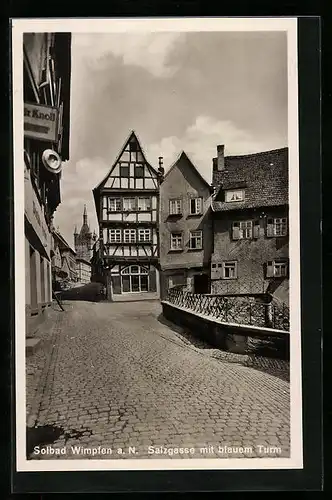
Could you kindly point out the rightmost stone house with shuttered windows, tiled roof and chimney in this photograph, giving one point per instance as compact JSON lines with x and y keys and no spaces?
{"x":250,"y":224}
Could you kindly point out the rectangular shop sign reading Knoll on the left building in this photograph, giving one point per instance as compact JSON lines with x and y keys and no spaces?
{"x":41,"y":122}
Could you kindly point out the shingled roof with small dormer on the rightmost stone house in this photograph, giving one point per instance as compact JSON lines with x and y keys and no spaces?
{"x":264,"y":176}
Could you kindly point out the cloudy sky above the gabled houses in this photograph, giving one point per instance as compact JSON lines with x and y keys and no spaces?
{"x":180,"y":92}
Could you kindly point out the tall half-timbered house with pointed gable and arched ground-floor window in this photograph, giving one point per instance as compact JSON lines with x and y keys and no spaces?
{"x":127,"y":204}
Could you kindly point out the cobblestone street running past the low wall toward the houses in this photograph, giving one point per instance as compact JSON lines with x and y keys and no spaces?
{"x":114,"y":375}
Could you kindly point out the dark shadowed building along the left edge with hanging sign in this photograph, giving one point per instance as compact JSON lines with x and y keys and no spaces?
{"x":46,"y":93}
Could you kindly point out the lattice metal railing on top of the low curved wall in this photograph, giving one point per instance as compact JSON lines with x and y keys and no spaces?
{"x":239,"y":310}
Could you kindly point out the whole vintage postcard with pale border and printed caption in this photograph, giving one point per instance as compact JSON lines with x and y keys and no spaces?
{"x":157,"y":257}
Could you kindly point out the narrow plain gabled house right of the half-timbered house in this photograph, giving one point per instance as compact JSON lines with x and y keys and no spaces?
{"x":185,"y":228}
